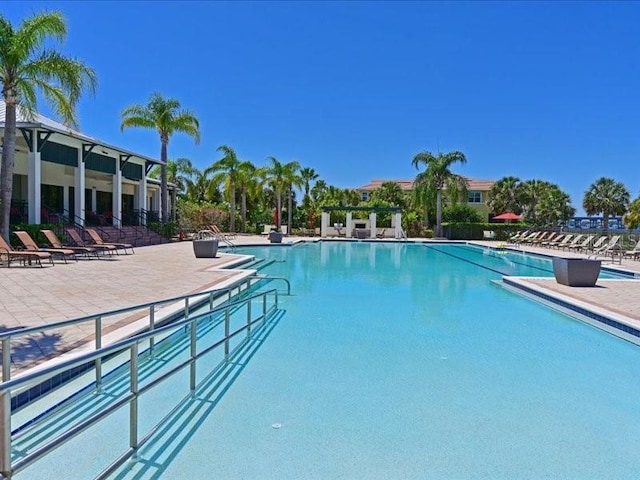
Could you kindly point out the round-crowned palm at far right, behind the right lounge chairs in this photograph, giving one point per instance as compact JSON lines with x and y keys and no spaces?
{"x":607,"y":196}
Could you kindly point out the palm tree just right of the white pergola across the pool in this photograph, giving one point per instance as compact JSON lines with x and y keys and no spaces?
{"x":437,"y":175}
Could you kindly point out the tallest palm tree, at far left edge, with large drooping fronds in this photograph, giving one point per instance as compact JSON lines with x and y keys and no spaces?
{"x":28,"y":64}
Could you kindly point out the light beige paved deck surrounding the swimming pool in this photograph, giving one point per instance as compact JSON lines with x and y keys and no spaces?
{"x":33,"y":296}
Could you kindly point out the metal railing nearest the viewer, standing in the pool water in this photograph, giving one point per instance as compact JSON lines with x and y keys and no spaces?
{"x":131,"y":348}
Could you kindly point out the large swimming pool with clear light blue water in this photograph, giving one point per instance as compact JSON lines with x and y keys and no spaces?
{"x":406,"y":361}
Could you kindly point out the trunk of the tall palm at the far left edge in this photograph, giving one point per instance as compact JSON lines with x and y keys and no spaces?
{"x":8,"y":162}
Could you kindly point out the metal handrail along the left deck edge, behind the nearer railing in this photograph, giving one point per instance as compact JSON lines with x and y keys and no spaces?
{"x":97,"y":319}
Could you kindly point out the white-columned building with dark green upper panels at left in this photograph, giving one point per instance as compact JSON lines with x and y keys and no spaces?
{"x":60,"y":171}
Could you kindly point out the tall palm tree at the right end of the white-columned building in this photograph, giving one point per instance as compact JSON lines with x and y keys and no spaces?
{"x":166,"y":117}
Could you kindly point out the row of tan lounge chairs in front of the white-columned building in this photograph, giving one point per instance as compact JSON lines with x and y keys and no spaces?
{"x":35,"y":254}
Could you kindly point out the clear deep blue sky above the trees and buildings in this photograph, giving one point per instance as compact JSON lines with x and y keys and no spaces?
{"x":544,"y":90}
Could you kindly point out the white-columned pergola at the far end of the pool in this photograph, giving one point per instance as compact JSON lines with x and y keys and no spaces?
{"x":360,"y":228}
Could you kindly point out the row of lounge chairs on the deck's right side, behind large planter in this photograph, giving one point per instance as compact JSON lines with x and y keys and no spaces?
{"x":593,"y":245}
